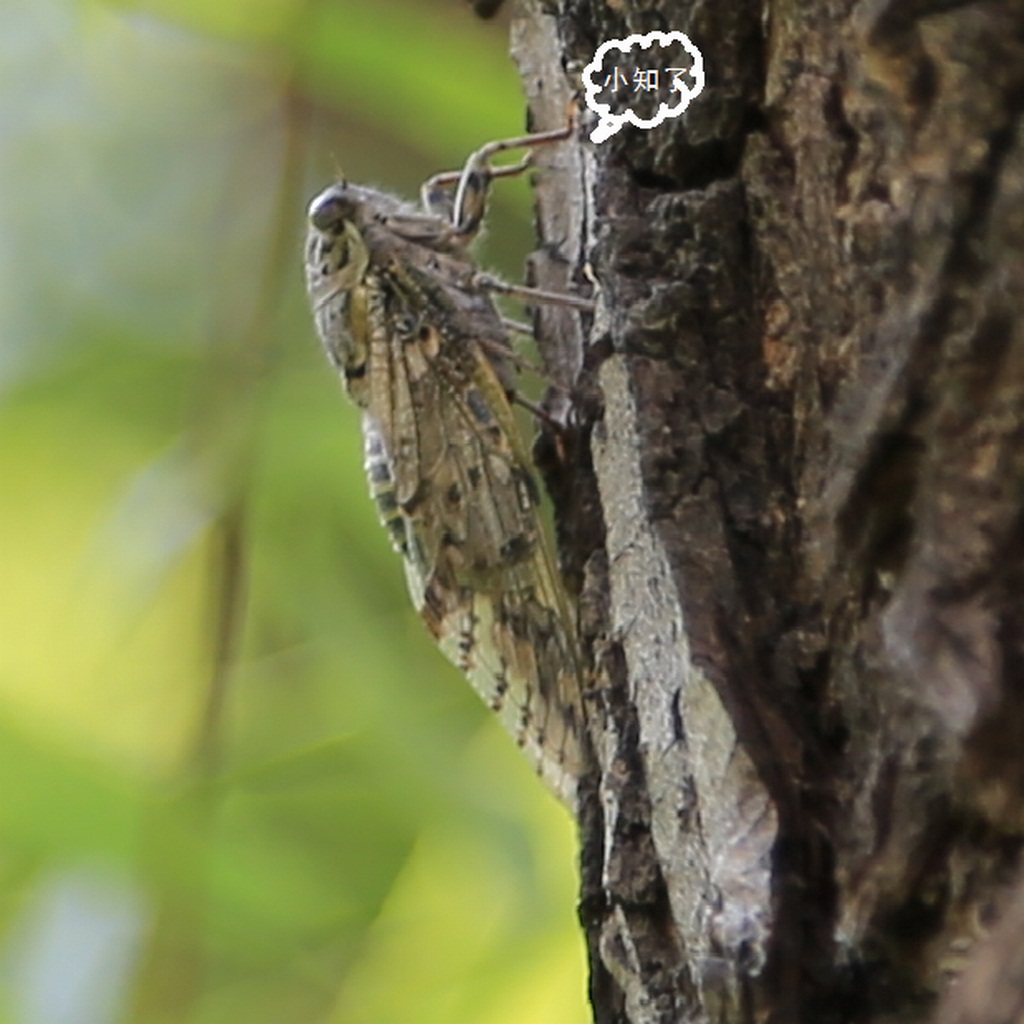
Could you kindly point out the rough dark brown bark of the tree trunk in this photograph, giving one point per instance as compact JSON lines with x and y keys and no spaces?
{"x":793,"y":506}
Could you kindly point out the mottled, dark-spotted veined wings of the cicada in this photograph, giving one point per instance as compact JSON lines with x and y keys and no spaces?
{"x":452,"y":480}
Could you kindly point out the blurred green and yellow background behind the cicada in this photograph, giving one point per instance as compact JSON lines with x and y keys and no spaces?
{"x":238,"y":785}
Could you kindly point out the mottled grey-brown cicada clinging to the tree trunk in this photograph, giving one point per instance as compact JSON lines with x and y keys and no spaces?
{"x":409,"y":321}
